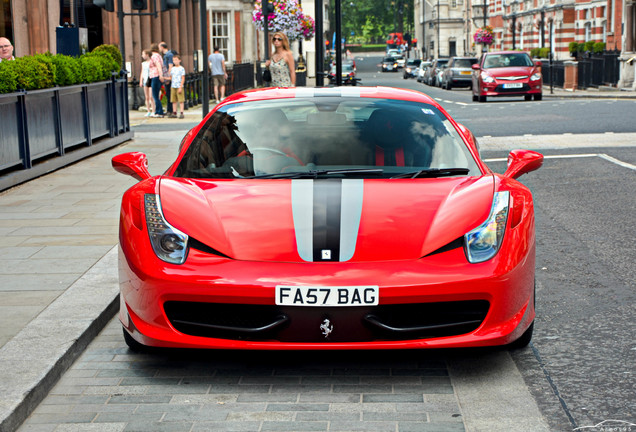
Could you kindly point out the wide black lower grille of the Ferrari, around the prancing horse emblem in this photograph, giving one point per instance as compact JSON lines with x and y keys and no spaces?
{"x":303,"y":324}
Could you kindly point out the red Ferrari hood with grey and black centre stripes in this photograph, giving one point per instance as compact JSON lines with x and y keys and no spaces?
{"x":326,"y":220}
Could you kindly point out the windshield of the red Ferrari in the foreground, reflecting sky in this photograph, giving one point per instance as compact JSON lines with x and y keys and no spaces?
{"x":360,"y":137}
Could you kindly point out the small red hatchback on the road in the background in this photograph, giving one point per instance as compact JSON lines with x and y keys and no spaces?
{"x":507,"y":73}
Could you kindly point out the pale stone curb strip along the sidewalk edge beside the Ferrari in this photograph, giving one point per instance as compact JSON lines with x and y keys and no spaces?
{"x":34,"y":360}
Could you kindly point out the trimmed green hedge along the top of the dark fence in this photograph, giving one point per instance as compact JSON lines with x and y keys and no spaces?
{"x":43,"y":71}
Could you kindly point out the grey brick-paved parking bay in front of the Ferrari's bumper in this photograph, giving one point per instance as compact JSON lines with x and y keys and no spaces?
{"x":110,"y":388}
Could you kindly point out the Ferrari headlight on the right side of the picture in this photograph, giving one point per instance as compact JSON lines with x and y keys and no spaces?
{"x":483,"y":242}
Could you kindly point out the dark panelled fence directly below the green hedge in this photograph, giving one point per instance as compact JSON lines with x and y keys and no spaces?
{"x":39,"y":124}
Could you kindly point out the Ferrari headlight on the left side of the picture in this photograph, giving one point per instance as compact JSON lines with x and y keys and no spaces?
{"x":170,"y":244}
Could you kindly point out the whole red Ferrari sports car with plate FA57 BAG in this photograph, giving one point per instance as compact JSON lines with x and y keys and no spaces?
{"x":327,"y":218}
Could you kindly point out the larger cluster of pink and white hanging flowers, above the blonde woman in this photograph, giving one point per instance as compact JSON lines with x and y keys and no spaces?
{"x":287,"y":17}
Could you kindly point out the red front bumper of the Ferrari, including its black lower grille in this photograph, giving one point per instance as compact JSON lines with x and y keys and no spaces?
{"x":212,"y":302}
